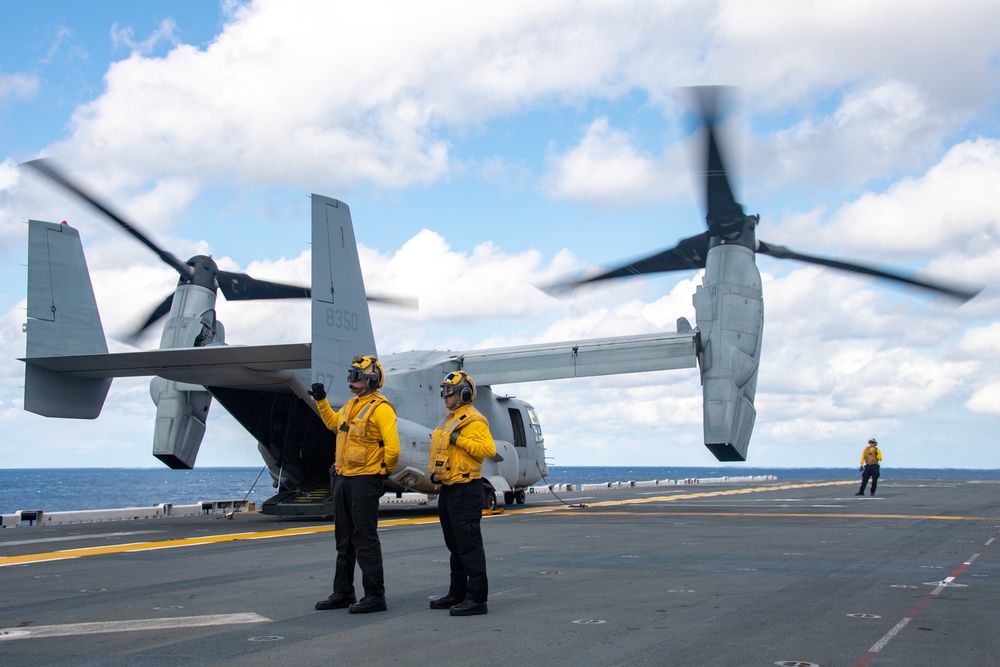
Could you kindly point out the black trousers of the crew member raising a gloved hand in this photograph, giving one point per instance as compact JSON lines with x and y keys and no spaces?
{"x":355,"y":529}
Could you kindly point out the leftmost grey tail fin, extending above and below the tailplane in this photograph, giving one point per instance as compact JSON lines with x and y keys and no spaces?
{"x":62,"y":320}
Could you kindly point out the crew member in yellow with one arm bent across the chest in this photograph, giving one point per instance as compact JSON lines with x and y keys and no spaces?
{"x":458,"y":446}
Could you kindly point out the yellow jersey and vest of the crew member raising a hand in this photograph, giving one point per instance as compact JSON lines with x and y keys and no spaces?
{"x":367,"y":440}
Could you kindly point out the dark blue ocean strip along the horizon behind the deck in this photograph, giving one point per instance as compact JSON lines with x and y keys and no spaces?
{"x":69,"y":489}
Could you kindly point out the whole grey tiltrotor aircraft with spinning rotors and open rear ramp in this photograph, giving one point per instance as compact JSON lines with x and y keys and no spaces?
{"x":68,"y":369}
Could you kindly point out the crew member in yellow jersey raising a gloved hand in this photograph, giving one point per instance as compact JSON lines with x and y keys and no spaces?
{"x":367,"y":452}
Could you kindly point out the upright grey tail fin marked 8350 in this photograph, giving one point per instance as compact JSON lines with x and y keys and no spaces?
{"x":341,"y":323}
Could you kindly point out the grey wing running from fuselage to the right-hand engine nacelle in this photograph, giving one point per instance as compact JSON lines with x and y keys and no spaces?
{"x":584,"y":358}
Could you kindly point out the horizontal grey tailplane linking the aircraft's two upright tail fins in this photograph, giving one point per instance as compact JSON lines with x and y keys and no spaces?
{"x":215,"y":365}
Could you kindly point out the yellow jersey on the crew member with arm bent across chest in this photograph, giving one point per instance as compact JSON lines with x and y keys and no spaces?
{"x":462,"y":461}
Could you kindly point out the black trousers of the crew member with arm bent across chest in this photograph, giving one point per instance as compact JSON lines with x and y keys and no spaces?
{"x":460,"y":509}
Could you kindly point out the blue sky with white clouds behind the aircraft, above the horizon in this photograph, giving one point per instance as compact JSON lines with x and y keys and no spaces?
{"x":487,"y":148}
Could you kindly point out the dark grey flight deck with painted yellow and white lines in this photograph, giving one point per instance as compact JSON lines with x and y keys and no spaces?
{"x":738,"y":574}
